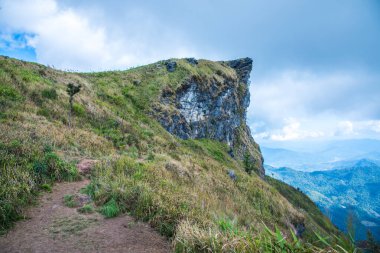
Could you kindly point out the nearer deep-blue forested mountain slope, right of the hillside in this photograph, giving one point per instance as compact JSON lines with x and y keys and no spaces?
{"x":352,"y":189}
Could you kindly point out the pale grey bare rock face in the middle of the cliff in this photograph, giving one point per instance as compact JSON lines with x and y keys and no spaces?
{"x":213,"y":114}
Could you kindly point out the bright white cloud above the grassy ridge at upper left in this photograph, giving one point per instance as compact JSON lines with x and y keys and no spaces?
{"x":67,"y":38}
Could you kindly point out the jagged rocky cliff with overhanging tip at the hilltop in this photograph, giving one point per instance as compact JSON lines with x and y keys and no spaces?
{"x":213,"y":106}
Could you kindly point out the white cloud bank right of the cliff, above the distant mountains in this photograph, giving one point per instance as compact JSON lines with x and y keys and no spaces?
{"x":299,"y":105}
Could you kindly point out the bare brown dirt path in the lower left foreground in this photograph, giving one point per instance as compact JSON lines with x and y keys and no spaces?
{"x":53,"y":227}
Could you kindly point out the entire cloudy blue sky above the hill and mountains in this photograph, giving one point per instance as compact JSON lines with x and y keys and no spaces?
{"x":316,"y":73}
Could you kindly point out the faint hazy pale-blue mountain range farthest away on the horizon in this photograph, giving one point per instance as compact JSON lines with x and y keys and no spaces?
{"x":321,"y":155}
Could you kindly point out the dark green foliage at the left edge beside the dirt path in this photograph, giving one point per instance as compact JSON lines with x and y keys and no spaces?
{"x":25,"y":169}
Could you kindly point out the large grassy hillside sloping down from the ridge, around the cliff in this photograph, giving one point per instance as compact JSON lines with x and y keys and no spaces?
{"x":180,"y":187}
